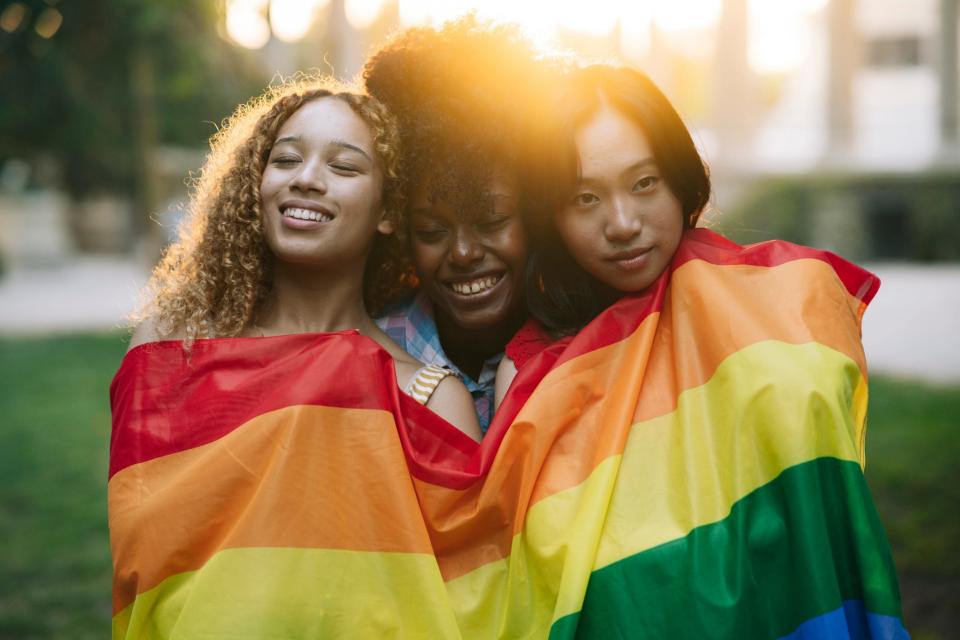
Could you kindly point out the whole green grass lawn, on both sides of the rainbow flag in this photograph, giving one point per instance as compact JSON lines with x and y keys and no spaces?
{"x":55,"y":429}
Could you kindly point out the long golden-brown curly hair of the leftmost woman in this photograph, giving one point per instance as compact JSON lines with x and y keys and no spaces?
{"x":212,"y":281}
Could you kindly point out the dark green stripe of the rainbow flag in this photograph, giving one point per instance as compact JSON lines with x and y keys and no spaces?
{"x":793,"y":549}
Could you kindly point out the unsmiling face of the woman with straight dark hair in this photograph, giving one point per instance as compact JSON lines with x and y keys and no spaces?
{"x":623,"y":224}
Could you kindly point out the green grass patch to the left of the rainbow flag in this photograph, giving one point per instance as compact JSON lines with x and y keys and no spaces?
{"x":54,"y":439}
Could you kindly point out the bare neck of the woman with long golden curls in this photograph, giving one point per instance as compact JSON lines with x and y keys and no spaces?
{"x":304,"y":300}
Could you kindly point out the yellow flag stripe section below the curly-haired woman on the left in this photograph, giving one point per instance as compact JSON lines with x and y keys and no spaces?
{"x":295,"y":593}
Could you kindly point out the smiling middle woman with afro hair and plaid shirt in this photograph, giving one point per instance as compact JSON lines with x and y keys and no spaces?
{"x":470,"y":98}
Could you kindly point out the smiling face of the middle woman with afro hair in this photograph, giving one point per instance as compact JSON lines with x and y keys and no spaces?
{"x":471,"y":265}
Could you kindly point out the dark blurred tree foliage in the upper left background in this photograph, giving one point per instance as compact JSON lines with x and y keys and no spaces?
{"x":97,"y":90}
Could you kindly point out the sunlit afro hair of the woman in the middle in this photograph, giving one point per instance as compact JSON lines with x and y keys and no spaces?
{"x":469,"y":97}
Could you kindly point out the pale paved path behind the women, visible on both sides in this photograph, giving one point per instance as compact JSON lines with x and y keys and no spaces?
{"x":911,"y":329}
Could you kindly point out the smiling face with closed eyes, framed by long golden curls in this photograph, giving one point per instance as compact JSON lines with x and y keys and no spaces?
{"x":321,"y":190}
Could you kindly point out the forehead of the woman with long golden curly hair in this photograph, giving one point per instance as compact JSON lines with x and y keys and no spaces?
{"x":325,"y":119}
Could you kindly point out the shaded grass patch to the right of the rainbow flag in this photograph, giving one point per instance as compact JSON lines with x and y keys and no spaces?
{"x":913,"y":451}
